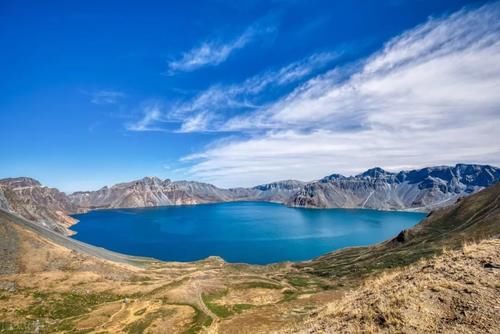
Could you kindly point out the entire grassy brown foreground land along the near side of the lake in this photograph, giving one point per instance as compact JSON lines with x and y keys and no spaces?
{"x":49,"y":283}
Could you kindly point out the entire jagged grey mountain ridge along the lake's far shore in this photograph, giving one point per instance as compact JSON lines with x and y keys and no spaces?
{"x":421,"y":189}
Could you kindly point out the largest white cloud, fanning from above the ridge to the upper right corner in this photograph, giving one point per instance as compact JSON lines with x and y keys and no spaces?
{"x":429,"y":96}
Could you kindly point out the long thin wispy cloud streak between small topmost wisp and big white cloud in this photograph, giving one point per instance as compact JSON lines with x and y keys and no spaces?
{"x":209,"y":110}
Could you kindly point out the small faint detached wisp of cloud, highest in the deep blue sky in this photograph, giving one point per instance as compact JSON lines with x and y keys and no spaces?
{"x":214,"y":52}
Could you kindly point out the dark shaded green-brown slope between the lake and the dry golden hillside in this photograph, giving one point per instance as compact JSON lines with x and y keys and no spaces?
{"x":471,"y":219}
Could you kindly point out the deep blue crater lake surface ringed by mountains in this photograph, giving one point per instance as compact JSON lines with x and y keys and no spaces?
{"x":251,"y":232}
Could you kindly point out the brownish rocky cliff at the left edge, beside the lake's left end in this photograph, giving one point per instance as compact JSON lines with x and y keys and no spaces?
{"x":28,"y":198}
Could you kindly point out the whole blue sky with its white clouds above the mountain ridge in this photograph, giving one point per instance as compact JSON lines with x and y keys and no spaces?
{"x":98,"y":92}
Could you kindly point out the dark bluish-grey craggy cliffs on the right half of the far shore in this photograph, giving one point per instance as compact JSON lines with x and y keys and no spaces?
{"x":421,"y":189}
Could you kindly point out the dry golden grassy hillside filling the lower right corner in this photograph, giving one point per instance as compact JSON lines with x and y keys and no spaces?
{"x":456,"y":292}
